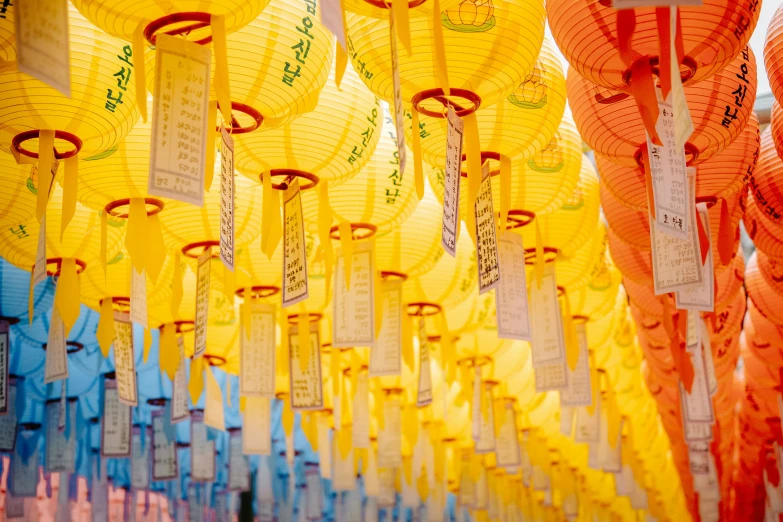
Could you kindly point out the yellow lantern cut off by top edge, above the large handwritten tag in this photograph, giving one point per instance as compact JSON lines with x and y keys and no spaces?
{"x":121,"y":17}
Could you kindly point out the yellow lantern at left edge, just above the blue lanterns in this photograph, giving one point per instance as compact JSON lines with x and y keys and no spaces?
{"x":81,"y":240}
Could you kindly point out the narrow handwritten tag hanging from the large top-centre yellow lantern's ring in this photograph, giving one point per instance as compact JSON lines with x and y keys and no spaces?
{"x":452,"y":182}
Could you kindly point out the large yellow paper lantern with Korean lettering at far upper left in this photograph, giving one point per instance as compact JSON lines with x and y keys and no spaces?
{"x":97,"y":115}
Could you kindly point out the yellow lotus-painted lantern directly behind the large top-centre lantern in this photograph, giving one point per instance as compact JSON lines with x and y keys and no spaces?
{"x":517,"y":126}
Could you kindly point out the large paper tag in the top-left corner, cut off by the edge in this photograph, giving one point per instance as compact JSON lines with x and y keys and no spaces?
{"x":42,"y":43}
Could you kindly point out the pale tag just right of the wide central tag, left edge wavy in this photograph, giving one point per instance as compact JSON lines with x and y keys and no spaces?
{"x":386,"y":354}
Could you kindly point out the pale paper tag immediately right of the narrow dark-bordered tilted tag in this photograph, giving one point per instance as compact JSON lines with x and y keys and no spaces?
{"x":511,"y":294}
